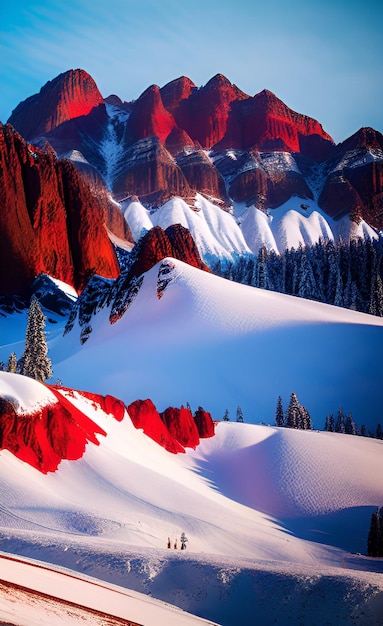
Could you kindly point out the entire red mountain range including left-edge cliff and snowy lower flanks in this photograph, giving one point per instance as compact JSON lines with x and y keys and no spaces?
{"x":274,"y":177}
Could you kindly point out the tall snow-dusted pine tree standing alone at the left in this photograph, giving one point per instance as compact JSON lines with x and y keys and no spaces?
{"x":34,"y":361}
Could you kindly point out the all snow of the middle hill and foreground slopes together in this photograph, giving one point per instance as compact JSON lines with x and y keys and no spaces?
{"x":277,"y":520}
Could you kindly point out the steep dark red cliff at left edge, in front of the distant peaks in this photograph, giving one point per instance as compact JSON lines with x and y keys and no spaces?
{"x":49,"y":221}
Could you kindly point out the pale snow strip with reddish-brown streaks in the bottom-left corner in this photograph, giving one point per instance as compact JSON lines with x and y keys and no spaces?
{"x":33,"y":593}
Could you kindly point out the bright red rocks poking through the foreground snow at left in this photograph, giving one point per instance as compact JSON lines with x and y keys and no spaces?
{"x":59,"y":430}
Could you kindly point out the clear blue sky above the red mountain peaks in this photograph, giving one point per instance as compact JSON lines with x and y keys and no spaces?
{"x":323,"y":58}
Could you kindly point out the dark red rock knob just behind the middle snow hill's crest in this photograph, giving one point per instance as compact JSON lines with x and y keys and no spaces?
{"x":157,"y":244}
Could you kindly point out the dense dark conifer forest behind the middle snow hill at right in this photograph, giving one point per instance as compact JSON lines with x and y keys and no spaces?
{"x":346,"y":275}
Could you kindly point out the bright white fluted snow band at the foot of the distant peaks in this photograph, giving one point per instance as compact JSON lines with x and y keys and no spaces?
{"x":219,"y":234}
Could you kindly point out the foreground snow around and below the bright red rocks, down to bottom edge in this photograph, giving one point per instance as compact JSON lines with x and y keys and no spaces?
{"x":263,"y":509}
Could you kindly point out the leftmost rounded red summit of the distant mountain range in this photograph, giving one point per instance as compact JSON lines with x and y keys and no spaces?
{"x":69,"y":95}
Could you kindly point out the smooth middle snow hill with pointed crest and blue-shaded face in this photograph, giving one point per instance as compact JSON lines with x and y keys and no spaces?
{"x":219,"y":344}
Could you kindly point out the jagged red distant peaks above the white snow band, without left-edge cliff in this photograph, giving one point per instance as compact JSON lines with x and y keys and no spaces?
{"x":179,"y":139}
